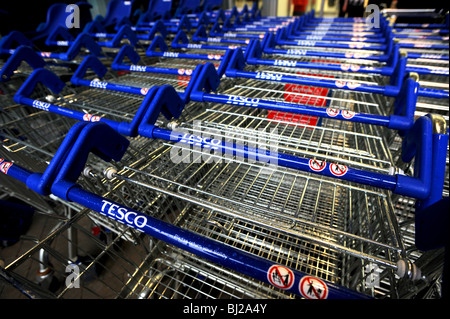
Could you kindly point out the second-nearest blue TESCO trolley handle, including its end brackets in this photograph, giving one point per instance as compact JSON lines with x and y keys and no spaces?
{"x":165,"y":102}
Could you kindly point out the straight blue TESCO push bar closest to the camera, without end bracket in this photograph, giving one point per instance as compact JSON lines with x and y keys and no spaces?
{"x":214,"y":251}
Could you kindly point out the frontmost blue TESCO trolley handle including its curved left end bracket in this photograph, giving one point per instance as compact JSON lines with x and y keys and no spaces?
{"x":65,"y":168}
